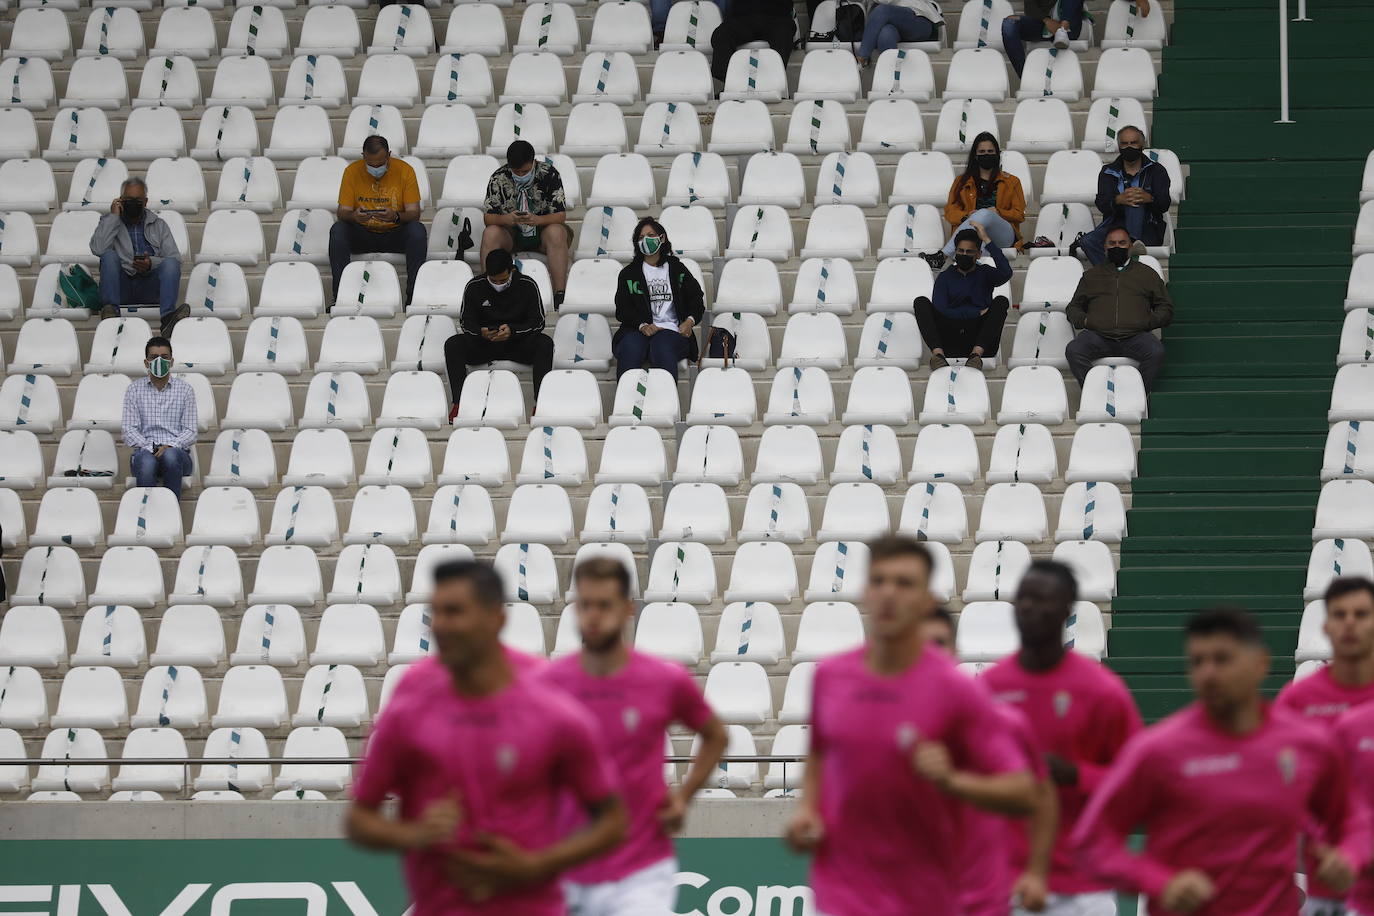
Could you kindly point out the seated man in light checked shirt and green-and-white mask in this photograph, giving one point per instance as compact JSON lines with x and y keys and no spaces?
{"x":160,"y":421}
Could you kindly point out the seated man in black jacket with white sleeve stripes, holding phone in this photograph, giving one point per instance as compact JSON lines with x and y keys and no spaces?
{"x":502,"y":318}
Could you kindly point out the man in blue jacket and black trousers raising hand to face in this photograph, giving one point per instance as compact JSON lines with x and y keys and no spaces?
{"x":965,"y":319}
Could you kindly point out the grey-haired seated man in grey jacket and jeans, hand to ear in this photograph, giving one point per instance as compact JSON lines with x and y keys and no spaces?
{"x":141,"y":263}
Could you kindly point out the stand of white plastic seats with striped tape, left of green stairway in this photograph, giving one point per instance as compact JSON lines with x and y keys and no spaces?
{"x":273,"y":610}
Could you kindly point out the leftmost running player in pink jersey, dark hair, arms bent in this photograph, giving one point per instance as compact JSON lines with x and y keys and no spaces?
{"x":482,"y":762}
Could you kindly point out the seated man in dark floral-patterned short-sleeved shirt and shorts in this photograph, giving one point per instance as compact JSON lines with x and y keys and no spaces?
{"x":527,"y":212}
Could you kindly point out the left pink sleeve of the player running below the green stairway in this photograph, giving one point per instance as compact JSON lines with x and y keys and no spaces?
{"x":1122,"y":803}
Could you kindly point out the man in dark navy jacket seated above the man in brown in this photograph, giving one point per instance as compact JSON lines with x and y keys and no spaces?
{"x":1133,"y":194}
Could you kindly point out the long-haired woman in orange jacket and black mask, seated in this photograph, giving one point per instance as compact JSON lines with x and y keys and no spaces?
{"x":987,"y":196}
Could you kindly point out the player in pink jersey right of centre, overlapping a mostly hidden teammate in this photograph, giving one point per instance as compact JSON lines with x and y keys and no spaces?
{"x":901,"y":742}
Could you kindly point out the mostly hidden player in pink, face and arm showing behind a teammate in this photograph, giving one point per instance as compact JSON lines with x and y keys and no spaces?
{"x":990,"y":881}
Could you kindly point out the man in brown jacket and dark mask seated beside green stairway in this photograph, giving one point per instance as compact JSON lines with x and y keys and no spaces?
{"x":1116,"y":308}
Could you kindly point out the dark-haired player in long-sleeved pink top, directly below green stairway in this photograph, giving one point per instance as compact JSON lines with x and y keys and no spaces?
{"x":1222,"y":789}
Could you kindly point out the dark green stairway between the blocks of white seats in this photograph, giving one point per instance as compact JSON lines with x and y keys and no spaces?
{"x":1230,"y":458}
